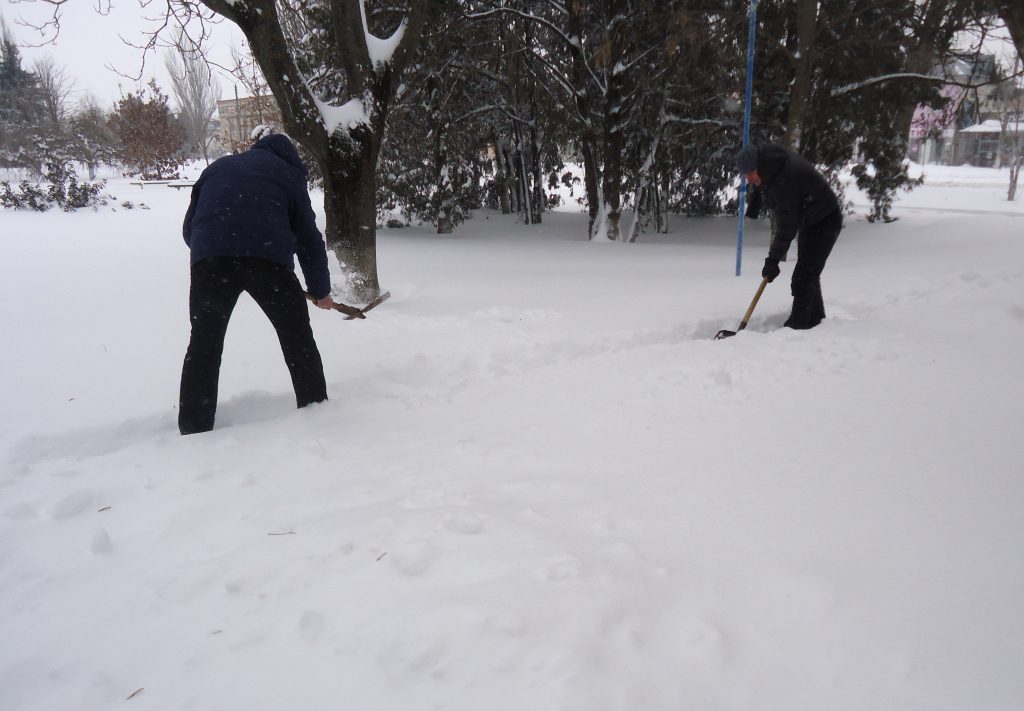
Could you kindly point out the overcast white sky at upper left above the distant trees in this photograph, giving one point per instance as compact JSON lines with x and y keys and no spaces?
{"x":90,"y":46}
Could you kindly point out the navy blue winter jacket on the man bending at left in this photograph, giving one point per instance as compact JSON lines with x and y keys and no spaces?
{"x":257,"y":204}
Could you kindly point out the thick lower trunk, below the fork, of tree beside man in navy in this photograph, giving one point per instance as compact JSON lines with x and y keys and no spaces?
{"x":351,"y":204}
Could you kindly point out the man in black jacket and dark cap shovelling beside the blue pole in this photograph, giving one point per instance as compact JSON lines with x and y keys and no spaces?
{"x":806,"y":208}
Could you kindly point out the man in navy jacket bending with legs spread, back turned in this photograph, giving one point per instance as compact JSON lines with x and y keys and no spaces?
{"x":250,"y":215}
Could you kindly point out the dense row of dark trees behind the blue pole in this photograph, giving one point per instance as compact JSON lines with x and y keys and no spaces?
{"x":646,"y":96}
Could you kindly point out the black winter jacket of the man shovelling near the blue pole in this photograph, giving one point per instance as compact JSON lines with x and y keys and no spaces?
{"x":799,"y":195}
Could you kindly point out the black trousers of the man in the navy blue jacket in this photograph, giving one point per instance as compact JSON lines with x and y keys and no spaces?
{"x":217,"y":285}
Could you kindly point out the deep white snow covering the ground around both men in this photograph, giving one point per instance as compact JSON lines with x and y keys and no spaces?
{"x":539,"y":483}
